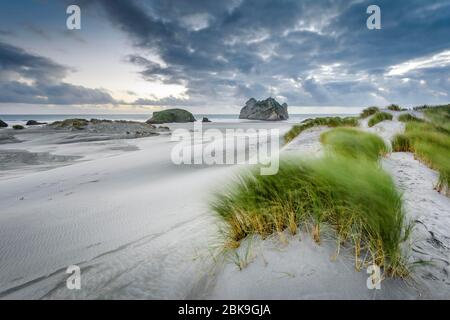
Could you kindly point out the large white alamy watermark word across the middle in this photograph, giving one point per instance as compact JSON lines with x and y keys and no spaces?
{"x":228,"y":147}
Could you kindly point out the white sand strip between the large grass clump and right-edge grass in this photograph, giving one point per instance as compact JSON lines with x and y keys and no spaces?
{"x":427,"y":208}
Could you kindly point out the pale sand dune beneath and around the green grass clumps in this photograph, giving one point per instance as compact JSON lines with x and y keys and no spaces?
{"x":298,"y":268}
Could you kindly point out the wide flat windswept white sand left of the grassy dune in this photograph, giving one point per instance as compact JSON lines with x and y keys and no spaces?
{"x":133,"y":221}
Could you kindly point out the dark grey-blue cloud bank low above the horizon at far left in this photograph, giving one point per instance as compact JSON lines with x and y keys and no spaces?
{"x":28,"y":78}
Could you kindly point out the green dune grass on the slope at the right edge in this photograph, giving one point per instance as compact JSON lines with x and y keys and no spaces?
{"x":430,"y":142}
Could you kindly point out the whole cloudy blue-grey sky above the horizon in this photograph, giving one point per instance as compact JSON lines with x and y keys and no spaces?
{"x":136,"y":56}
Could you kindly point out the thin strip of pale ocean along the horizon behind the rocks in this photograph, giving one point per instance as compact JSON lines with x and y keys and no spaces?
{"x":12,"y":119}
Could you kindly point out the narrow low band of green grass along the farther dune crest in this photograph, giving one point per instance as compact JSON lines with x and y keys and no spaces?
{"x":325,"y":121}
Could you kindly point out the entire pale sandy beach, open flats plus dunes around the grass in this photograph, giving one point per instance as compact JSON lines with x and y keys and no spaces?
{"x":140,"y":226}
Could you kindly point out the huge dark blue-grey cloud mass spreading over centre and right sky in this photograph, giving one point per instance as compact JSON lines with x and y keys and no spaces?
{"x":228,"y":51}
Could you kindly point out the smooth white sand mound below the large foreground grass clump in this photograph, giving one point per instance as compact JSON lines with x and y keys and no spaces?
{"x":299,"y":268}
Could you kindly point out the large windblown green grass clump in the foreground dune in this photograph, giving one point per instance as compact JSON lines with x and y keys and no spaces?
{"x":346,"y":190}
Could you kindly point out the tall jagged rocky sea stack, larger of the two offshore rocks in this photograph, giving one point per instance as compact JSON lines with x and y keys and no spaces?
{"x":267,"y":110}
